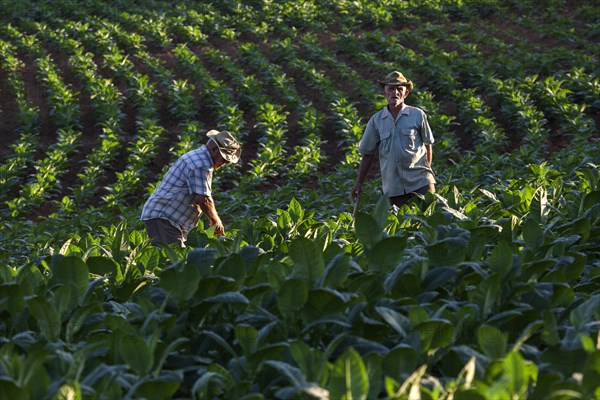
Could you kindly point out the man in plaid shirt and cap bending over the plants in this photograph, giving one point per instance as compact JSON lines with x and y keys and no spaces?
{"x":184,"y":194}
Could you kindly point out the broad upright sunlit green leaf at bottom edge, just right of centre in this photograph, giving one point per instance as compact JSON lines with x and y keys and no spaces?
{"x":349,"y":379}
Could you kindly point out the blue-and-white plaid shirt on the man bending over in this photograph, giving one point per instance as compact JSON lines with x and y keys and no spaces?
{"x":173,"y":199}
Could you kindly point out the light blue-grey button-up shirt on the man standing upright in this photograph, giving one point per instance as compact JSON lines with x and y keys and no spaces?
{"x":401,"y":144}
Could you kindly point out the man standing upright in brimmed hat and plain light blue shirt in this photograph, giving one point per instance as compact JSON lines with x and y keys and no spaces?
{"x":403,"y":138}
